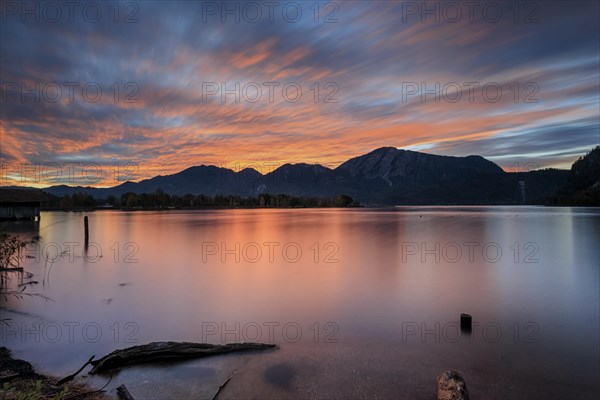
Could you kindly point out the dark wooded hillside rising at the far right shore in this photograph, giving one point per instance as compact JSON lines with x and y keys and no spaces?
{"x":583,"y":184}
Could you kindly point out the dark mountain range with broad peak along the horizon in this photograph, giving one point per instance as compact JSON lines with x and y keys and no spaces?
{"x":386,"y":176}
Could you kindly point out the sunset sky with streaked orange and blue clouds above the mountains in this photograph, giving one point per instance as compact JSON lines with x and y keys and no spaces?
{"x":96,"y":93}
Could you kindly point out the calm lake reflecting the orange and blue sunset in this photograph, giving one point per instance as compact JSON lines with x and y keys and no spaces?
{"x":363,"y":303}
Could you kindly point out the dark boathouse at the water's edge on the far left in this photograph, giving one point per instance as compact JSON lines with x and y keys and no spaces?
{"x":21,"y":203}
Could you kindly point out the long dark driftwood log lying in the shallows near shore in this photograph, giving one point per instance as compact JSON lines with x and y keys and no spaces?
{"x":168,"y":351}
